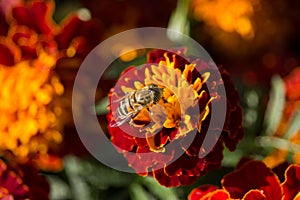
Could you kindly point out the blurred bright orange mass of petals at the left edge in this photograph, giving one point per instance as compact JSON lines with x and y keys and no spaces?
{"x":30,"y":115}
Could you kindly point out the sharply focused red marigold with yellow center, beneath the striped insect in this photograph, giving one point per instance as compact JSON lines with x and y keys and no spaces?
{"x":186,"y":86}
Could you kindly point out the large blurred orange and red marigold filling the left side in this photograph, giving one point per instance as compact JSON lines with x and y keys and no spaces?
{"x":33,"y":104}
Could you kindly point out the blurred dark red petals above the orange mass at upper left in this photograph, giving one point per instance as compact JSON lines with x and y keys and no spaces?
{"x":33,"y":29}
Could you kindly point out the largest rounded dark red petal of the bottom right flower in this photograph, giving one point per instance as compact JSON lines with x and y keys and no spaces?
{"x":252,"y":175}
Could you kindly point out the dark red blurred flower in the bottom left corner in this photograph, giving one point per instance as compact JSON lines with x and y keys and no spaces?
{"x":22,"y":182}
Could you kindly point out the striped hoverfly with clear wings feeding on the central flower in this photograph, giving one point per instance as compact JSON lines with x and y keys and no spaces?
{"x":133,"y":102}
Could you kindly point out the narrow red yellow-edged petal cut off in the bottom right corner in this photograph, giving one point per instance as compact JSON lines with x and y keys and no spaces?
{"x":291,"y":185}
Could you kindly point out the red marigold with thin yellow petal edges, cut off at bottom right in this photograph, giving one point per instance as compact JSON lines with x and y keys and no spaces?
{"x":252,"y":180}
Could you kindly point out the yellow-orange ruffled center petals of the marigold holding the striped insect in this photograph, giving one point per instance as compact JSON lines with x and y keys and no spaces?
{"x":173,"y":110}
